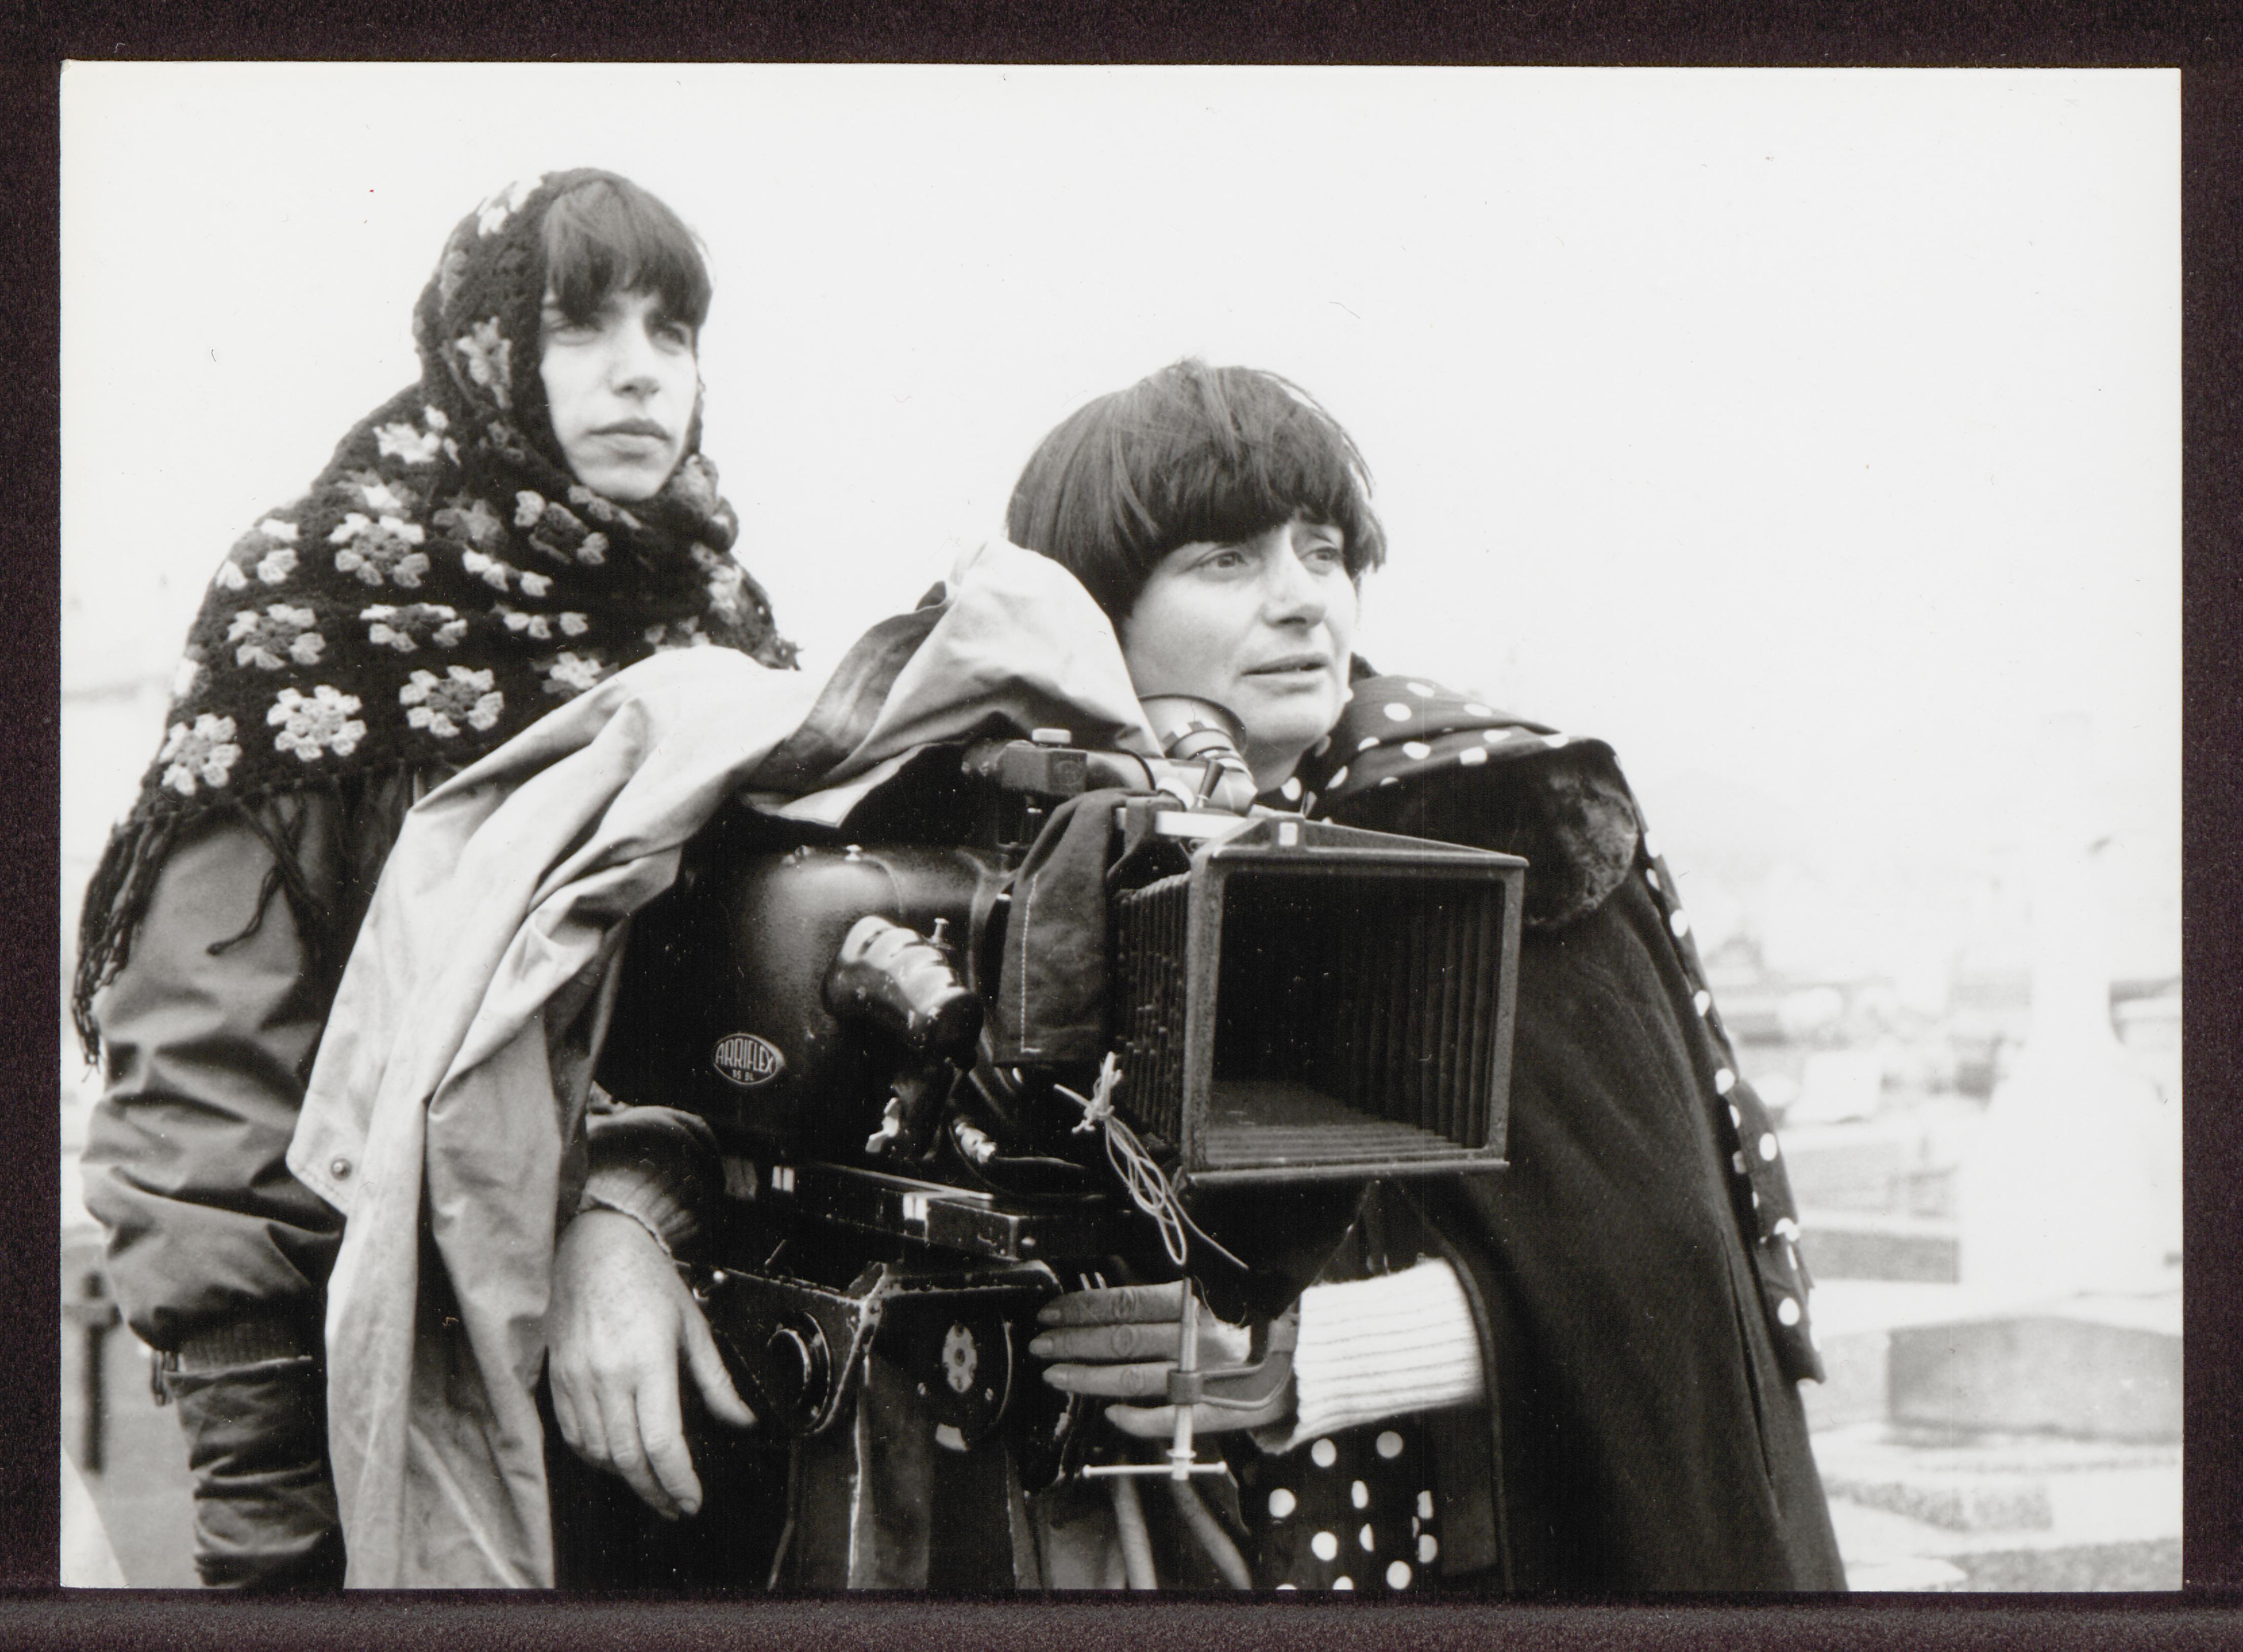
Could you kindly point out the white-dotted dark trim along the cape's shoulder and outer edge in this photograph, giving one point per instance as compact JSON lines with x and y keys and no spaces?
{"x":1401,"y":730}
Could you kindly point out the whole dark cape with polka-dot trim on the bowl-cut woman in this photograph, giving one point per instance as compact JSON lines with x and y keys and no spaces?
{"x":1634,"y":1265}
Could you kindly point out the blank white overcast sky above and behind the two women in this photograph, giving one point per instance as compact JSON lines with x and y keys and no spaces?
{"x":1816,"y":431}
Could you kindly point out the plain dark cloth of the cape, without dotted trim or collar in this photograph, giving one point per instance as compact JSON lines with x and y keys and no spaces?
{"x":1650,"y":1433}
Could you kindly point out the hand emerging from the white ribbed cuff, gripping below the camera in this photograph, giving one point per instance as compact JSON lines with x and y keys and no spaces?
{"x":1123,"y":1344}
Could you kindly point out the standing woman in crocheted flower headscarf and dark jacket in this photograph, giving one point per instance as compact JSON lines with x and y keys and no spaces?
{"x":524,"y":521}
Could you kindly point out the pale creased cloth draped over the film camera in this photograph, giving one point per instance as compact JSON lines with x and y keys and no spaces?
{"x":445,"y":1108}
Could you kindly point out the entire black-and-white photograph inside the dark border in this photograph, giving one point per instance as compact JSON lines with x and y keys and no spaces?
{"x":993,"y":828}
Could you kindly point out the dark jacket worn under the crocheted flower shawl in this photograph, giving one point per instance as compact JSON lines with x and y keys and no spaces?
{"x":214,"y":1250}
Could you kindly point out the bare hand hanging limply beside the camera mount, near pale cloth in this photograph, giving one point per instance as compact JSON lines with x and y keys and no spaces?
{"x":618,"y":1330}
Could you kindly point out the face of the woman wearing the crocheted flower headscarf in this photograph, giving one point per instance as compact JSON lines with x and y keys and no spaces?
{"x":620,"y":389}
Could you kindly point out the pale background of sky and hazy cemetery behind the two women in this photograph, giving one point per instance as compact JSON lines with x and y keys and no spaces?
{"x":1813,"y":438}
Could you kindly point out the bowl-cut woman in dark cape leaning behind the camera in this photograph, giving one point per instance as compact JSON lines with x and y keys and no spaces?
{"x":1578,"y":1373}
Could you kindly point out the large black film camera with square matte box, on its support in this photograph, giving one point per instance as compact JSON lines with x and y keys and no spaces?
{"x":1040,"y":1017}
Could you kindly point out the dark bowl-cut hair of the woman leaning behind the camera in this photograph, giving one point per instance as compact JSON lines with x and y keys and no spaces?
{"x":1185,"y":456}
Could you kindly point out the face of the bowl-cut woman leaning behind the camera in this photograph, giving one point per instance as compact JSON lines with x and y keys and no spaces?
{"x":1264,"y":629}
